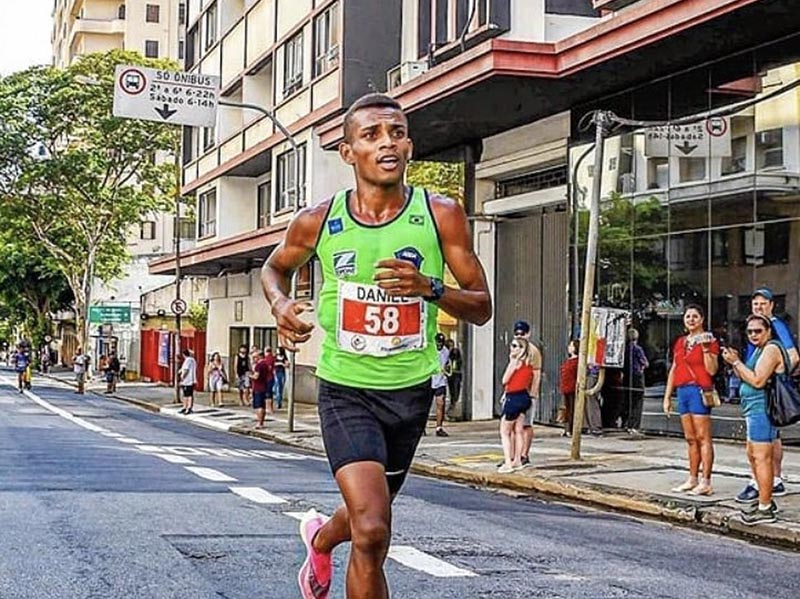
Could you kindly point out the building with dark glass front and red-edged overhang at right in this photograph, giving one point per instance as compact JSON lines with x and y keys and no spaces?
{"x":506,"y":89}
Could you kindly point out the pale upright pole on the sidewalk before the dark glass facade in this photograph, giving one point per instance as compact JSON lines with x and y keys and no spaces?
{"x":601,"y":121}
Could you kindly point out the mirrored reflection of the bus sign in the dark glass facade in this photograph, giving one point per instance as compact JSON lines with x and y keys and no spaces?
{"x":703,"y":139}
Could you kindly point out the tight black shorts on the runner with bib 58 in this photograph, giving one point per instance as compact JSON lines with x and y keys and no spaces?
{"x":361,"y":425}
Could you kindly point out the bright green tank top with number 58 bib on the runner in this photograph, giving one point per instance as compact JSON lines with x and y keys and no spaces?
{"x":373,"y":341}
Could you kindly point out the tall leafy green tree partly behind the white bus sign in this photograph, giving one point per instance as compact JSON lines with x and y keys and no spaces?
{"x":75,"y":177}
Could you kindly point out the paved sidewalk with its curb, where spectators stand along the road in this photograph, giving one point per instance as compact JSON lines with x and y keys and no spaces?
{"x":619,"y":472}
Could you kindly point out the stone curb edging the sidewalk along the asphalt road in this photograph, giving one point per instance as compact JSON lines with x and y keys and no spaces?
{"x":713,"y":519}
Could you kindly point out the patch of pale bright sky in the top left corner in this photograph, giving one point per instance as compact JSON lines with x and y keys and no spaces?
{"x":25,"y":28}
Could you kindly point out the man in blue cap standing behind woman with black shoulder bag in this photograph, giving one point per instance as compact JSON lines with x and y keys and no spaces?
{"x":762,"y":303}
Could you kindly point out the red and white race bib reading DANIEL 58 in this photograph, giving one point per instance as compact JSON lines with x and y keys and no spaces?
{"x":375,"y":324}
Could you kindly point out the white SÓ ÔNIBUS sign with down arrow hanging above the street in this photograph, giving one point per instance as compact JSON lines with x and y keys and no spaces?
{"x":166,"y":96}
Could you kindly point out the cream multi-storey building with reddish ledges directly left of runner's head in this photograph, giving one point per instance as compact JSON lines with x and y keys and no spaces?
{"x":306,"y":61}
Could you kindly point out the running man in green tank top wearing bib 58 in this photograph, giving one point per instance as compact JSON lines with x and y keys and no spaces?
{"x":382,"y":248}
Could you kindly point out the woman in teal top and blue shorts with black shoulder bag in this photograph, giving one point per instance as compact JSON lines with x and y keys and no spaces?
{"x":767,"y":359}
